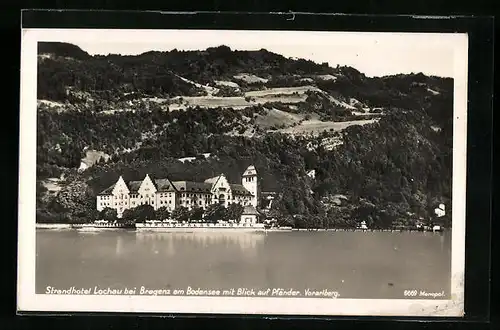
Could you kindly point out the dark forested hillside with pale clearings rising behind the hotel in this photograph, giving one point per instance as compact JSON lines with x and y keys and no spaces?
{"x":390,"y":157}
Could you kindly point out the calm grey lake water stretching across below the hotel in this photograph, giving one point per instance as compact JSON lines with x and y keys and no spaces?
{"x":369,"y":265}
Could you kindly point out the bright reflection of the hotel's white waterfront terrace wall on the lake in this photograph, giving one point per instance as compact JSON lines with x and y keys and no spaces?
{"x":246,"y":242}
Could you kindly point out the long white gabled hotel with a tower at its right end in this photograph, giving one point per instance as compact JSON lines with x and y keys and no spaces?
{"x":173,"y":194}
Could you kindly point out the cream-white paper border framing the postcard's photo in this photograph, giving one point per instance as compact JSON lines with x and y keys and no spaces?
{"x":29,"y":301}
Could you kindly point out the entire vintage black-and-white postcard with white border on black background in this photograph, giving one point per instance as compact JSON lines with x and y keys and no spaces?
{"x":242,"y":172}
